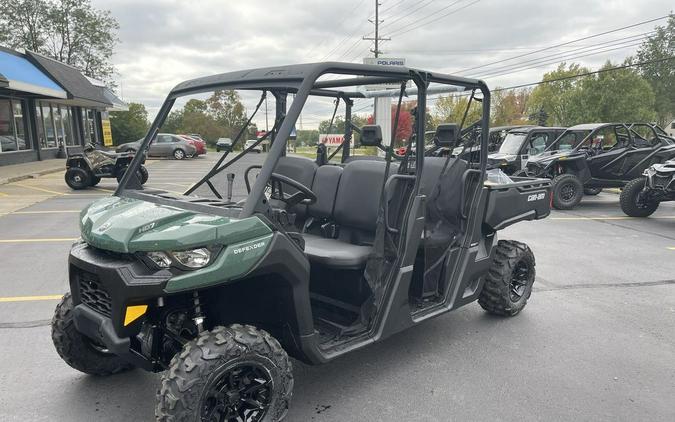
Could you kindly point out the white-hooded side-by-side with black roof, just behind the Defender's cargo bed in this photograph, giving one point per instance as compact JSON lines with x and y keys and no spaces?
{"x":520,"y":144}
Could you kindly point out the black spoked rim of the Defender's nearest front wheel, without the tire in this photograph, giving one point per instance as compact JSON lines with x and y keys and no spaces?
{"x":241,"y":392}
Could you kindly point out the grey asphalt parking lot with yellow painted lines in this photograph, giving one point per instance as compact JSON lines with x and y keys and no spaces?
{"x":596,"y":341}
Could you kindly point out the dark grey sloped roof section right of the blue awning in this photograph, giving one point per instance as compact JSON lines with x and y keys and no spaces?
{"x":72,"y":80}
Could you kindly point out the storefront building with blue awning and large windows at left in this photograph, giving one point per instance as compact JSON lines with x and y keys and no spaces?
{"x":47,"y":107}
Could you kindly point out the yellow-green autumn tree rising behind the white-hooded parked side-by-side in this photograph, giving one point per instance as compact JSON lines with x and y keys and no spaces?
{"x":557,"y":98}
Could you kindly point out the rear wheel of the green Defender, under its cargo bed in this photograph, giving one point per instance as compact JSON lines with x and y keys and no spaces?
{"x":509,"y":281}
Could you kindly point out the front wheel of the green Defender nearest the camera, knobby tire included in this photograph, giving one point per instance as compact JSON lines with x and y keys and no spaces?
{"x":226,"y":374}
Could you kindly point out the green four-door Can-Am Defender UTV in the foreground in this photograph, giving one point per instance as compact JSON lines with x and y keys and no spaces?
{"x":314,"y":262}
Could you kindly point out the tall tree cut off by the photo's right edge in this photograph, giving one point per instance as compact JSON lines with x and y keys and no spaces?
{"x":660,"y":47}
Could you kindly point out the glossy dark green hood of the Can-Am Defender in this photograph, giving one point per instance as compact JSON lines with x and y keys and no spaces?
{"x":130,"y":225}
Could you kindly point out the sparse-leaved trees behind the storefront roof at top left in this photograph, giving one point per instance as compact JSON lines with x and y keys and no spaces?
{"x":70,"y":31}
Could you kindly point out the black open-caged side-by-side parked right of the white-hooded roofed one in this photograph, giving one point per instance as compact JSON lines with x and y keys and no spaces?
{"x":596,"y":156}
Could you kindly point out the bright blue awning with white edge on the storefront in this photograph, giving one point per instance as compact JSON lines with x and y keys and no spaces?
{"x":22,"y":75}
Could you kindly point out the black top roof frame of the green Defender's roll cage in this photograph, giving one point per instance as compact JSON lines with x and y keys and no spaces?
{"x":294,"y":74}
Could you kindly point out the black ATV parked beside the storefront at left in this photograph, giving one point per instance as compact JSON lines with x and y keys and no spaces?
{"x":86,"y":167}
